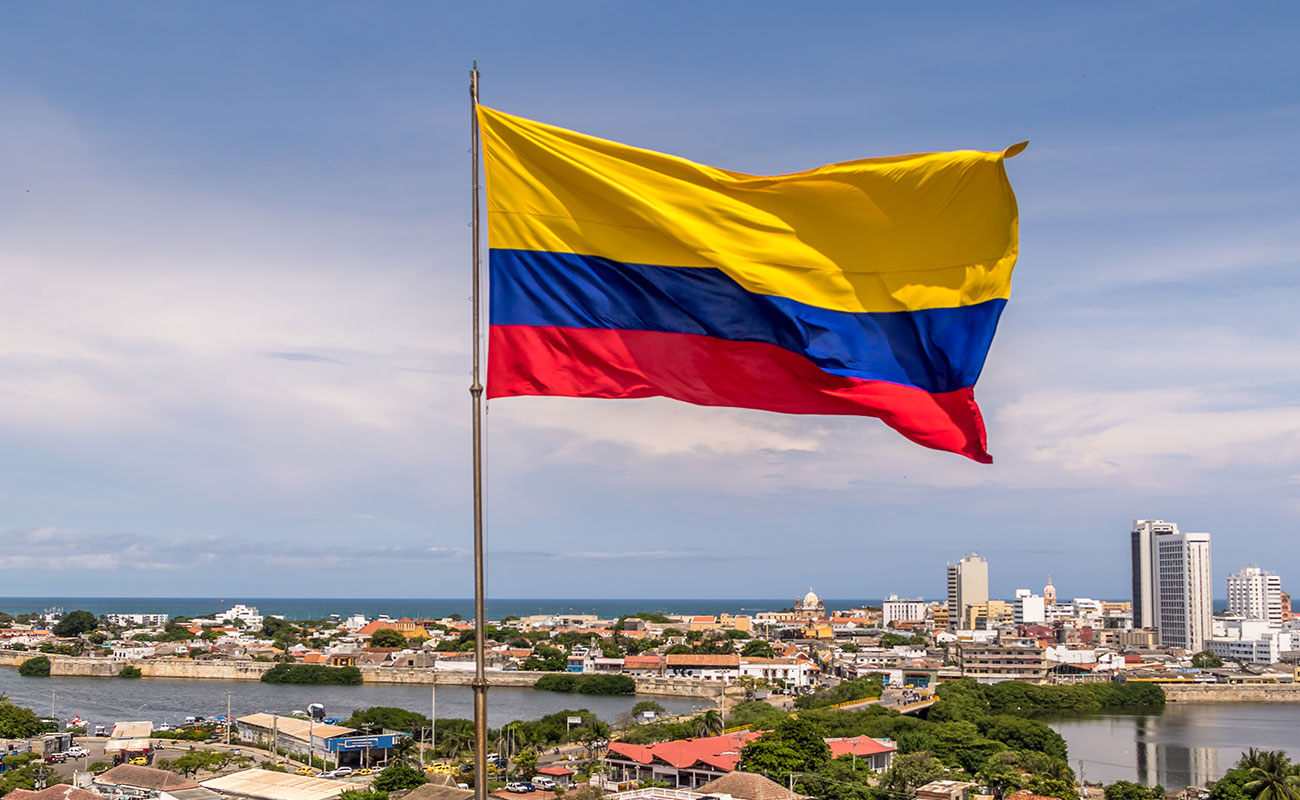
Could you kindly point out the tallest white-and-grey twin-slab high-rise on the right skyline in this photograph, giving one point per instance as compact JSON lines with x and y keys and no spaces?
{"x":1172,"y":583}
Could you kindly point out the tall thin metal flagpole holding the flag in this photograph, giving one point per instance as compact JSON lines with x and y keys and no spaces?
{"x":476,"y":393}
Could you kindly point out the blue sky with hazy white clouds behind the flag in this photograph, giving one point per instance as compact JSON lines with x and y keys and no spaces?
{"x":235,"y":319}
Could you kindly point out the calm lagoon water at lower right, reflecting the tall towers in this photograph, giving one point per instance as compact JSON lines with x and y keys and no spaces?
{"x":1186,"y":745}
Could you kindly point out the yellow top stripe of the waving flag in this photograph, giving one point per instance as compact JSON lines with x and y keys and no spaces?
{"x":930,"y":231}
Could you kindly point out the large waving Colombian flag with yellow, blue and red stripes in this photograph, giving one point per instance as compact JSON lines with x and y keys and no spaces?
{"x":865,"y":288}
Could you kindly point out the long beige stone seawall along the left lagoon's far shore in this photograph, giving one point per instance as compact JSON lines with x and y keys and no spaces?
{"x":68,"y":667}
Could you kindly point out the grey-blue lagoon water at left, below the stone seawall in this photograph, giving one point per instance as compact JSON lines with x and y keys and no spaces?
{"x":107,"y":700}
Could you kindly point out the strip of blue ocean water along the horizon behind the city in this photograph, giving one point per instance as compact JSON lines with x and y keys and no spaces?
{"x":320,"y":608}
